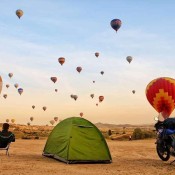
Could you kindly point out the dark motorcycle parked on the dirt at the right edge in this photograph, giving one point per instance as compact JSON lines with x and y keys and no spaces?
{"x":165,"y":140}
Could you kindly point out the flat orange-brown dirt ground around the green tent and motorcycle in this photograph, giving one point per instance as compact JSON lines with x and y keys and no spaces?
{"x":129,"y":157}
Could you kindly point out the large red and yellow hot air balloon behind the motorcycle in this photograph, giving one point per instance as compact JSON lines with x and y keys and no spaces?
{"x":160,"y":93}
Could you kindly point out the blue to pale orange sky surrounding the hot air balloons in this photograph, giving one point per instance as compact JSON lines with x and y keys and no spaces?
{"x":30,"y":48}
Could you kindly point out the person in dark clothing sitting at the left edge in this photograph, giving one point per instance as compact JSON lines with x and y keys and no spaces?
{"x":6,"y":136}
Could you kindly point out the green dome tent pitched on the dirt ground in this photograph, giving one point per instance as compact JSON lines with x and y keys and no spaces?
{"x":76,"y":140}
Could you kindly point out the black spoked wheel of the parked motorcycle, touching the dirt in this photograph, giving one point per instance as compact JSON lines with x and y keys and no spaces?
{"x":163,"y":152}
